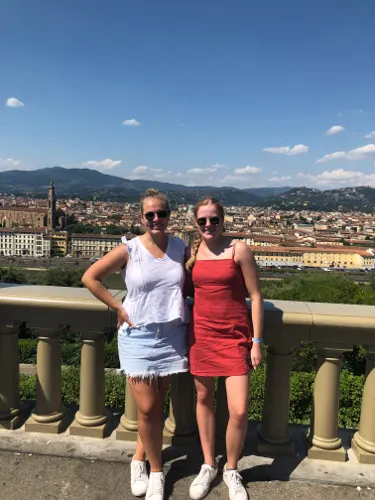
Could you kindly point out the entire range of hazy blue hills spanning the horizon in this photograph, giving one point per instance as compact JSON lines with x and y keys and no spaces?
{"x":90,"y":184}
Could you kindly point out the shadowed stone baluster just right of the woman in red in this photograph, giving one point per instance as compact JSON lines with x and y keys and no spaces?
{"x":273,"y":432}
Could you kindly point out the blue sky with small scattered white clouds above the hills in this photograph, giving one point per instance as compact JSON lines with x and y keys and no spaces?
{"x":234,"y":92}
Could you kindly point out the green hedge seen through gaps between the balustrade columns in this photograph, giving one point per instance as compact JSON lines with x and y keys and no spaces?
{"x":300,"y":394}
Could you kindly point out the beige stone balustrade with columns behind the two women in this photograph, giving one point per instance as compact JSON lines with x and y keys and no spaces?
{"x":335,"y":328}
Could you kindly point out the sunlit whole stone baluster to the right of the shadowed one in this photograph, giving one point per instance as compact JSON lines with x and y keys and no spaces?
{"x":324,"y":441}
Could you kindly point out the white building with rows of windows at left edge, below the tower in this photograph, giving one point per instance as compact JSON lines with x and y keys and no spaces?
{"x":17,"y":242}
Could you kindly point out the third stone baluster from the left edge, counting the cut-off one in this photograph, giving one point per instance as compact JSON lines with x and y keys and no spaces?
{"x":92,"y":418}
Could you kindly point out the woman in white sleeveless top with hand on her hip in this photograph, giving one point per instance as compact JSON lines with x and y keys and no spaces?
{"x":152,"y":328}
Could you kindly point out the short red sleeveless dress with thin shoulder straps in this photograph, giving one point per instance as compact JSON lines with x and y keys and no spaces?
{"x":220,"y":332}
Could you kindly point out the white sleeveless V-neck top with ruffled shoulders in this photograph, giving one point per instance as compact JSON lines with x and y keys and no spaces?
{"x":154,"y":285}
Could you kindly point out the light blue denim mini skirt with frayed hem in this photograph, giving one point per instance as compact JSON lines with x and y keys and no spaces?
{"x":154,"y":350}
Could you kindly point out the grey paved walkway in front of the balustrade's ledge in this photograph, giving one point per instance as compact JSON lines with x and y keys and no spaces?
{"x":26,"y":476}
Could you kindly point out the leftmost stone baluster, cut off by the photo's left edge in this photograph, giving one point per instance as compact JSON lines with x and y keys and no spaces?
{"x":9,"y":379}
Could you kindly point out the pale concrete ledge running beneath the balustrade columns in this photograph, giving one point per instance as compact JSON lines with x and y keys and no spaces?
{"x":255,"y":468}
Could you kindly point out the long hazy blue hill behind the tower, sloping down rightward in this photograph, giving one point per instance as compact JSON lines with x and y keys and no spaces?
{"x":83,"y":182}
